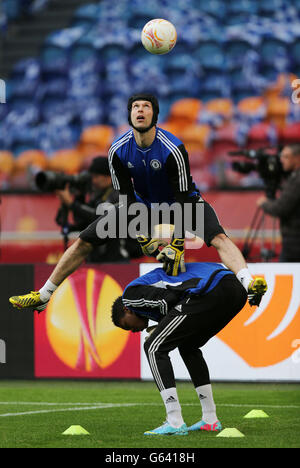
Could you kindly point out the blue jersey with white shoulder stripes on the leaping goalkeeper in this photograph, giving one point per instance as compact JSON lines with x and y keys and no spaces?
{"x":156,"y":174}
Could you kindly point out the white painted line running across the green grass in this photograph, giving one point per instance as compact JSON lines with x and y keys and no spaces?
{"x":95,"y":406}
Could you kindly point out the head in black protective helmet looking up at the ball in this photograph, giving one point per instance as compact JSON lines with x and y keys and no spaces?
{"x":143,"y":110}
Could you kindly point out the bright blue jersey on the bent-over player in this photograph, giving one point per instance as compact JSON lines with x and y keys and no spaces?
{"x":155,"y":293}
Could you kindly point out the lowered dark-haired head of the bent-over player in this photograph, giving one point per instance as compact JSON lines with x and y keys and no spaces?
{"x":124,"y":318}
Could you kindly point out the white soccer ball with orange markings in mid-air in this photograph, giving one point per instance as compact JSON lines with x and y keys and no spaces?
{"x":159,"y":36}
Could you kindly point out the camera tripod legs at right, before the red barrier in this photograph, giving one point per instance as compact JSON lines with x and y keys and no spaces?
{"x":257,"y":229}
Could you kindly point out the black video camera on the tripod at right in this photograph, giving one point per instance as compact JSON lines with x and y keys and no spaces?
{"x":266,"y":162}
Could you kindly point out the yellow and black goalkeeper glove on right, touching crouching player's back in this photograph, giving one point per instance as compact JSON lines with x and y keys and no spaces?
{"x":172,"y":257}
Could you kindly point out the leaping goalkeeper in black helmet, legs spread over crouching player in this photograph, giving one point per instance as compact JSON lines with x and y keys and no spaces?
{"x":150,"y":165}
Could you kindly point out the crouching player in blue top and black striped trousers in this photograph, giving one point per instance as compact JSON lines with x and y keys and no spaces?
{"x":190,"y":309}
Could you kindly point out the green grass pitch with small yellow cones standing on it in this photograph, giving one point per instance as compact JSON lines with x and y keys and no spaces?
{"x":116,"y":414}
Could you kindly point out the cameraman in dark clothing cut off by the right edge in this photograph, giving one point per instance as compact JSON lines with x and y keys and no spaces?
{"x":287,"y":206}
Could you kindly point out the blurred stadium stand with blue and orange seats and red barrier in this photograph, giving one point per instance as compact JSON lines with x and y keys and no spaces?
{"x":68,"y":67}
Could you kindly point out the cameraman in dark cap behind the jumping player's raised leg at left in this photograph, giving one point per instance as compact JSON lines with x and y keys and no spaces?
{"x":84,"y":213}
